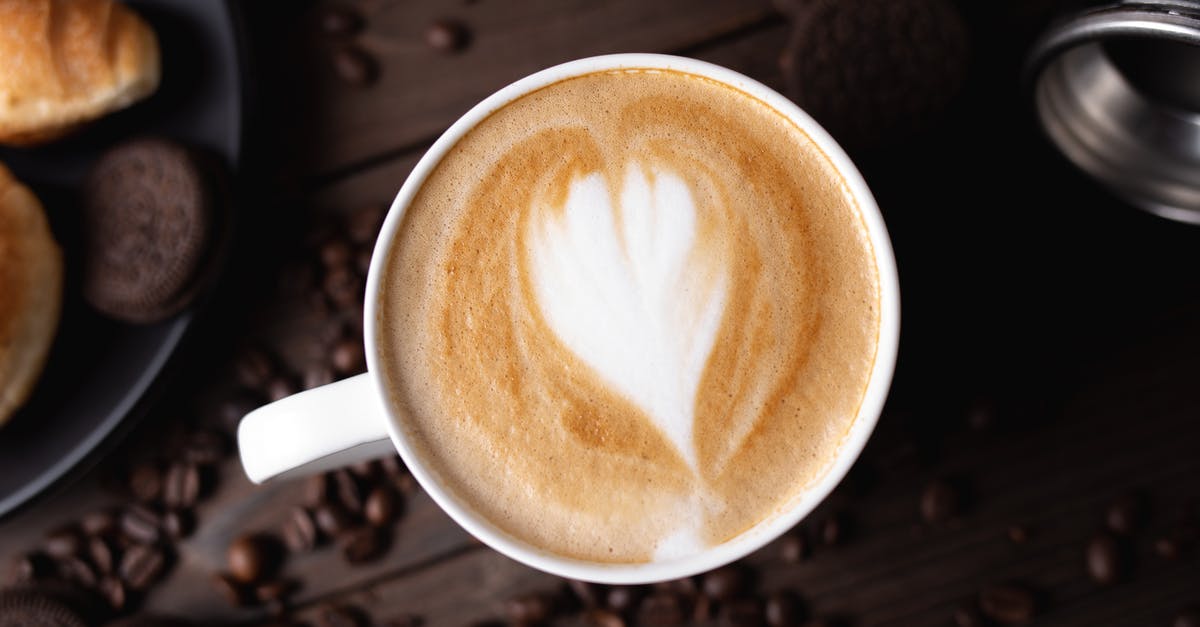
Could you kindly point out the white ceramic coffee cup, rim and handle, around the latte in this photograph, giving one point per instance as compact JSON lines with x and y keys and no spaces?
{"x":350,"y":421}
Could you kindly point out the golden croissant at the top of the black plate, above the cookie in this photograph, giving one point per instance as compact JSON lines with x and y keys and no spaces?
{"x":64,"y":63}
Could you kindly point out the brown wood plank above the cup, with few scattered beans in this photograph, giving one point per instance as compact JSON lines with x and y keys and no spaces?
{"x":421,"y":92}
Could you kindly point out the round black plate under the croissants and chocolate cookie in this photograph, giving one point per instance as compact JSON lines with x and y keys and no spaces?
{"x":99,"y":371}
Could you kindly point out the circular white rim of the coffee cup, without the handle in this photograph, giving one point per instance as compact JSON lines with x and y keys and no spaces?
{"x":764,"y":532}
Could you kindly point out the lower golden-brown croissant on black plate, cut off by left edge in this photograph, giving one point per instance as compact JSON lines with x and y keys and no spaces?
{"x":31,"y":292}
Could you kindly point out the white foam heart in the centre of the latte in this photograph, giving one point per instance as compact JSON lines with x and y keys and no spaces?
{"x":625,"y":294}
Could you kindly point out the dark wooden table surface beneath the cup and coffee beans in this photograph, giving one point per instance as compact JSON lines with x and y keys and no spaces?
{"x":1023,"y":284}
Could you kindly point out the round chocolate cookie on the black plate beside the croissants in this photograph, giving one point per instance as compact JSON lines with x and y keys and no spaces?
{"x":149,"y":229}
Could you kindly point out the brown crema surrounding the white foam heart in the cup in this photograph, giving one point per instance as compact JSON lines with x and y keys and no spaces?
{"x":520,"y":429}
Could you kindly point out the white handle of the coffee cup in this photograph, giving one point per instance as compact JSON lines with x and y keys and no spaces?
{"x":316,"y":431}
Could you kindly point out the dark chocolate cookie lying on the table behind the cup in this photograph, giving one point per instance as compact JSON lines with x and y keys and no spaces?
{"x":872,"y":71}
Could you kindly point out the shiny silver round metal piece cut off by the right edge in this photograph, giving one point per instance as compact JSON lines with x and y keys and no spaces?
{"x":1118,"y":91}
